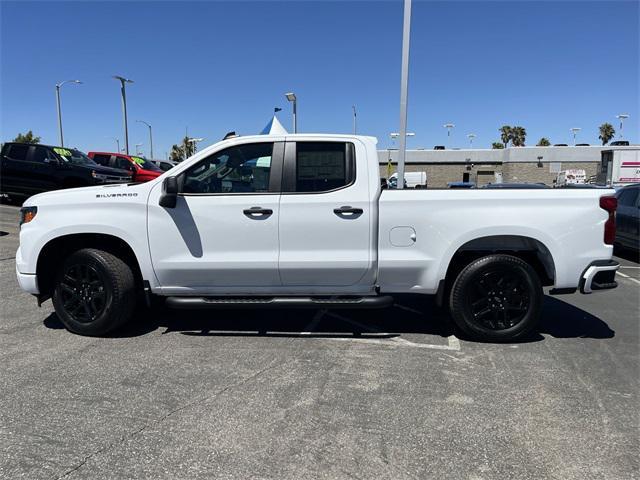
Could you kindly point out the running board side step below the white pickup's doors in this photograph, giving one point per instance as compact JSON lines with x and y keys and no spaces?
{"x":279,"y":302}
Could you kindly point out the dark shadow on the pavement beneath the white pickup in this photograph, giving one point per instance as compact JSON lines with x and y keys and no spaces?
{"x":408,"y":316}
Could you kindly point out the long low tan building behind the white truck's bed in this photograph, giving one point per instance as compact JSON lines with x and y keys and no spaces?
{"x":482,"y":166}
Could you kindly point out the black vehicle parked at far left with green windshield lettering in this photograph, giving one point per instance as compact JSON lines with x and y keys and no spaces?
{"x":29,"y":169}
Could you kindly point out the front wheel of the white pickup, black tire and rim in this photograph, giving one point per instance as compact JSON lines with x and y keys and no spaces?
{"x":94,"y":292}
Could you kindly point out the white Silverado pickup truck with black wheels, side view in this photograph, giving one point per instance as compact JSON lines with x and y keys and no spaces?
{"x":301,"y":220}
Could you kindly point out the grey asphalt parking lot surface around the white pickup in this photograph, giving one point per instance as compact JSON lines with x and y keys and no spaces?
{"x":293,"y":394}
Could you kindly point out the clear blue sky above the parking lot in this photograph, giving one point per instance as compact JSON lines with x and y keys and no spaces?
{"x":220,"y":66}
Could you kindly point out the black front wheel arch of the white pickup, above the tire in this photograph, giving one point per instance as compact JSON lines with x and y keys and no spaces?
{"x":54,"y":253}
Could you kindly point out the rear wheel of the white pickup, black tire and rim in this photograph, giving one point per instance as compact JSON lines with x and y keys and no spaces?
{"x":496,"y":298}
